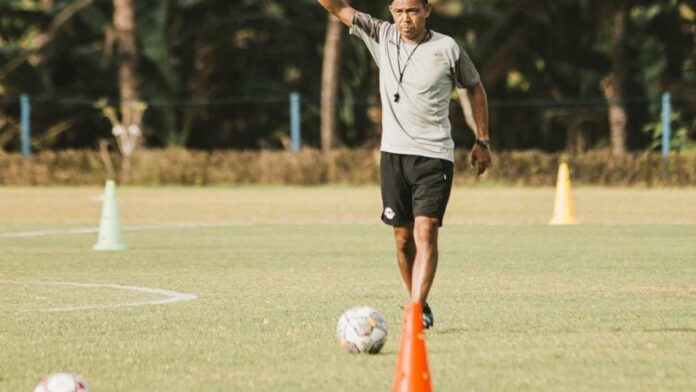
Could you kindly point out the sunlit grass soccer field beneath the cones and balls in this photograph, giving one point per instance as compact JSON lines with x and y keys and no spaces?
{"x":606,"y":305}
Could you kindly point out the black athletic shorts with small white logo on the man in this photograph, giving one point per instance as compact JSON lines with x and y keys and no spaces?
{"x":414,"y":186}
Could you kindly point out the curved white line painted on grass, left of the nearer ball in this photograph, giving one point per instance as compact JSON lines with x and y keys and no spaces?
{"x":170,"y":296}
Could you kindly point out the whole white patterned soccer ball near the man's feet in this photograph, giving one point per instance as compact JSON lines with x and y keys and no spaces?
{"x":362,"y":329}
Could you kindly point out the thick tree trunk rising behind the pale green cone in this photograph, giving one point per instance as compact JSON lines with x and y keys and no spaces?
{"x":131,"y":109}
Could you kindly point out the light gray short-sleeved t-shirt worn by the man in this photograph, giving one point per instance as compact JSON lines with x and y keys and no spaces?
{"x":418,"y":124}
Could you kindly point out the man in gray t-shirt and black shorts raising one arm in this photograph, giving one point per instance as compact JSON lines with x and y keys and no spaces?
{"x":419,"y":68}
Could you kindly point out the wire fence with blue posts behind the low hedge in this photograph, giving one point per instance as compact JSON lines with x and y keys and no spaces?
{"x":296,"y":110}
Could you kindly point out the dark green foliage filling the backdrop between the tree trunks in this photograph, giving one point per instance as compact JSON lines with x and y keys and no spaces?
{"x":217,"y":73}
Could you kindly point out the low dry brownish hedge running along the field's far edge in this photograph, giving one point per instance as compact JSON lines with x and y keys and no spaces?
{"x":311,"y":167}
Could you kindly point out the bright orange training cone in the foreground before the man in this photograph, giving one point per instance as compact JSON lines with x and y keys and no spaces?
{"x":412,"y":372}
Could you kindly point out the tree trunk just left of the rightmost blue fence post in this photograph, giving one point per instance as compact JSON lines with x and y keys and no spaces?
{"x":613,"y":85}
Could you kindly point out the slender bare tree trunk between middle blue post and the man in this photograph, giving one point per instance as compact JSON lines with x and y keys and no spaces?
{"x":329,"y":83}
